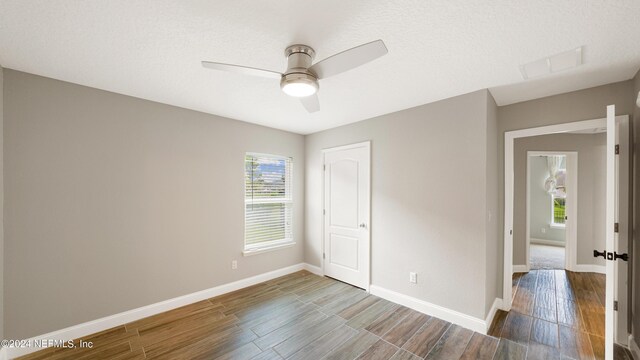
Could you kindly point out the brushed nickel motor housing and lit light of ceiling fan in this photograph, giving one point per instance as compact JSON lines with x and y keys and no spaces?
{"x":299,"y":60}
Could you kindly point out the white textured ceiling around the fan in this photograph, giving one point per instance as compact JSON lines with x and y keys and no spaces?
{"x":437,"y":49}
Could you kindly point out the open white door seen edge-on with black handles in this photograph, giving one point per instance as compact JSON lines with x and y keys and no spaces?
{"x":611,"y":211}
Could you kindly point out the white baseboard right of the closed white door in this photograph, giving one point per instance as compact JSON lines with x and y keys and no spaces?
{"x":458,"y":318}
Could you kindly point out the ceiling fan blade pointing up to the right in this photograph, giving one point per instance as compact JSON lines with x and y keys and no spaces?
{"x":349,"y":59}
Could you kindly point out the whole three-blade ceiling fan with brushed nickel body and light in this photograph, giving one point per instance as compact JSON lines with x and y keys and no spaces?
{"x":301,"y":77}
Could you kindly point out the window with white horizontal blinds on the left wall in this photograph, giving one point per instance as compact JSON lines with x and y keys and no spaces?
{"x":268,"y":202}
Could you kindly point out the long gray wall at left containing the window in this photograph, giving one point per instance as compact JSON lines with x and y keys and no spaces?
{"x":115,"y":202}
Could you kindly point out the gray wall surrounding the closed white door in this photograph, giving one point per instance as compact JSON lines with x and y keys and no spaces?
{"x":428,"y":177}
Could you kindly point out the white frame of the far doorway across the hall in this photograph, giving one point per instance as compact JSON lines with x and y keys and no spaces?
{"x":571,"y":232}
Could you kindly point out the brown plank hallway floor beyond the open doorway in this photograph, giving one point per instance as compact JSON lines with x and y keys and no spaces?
{"x":556,"y":314}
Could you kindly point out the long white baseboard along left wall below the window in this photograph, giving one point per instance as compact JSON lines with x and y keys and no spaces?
{"x":91,"y":327}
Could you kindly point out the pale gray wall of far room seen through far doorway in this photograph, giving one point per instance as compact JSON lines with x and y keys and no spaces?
{"x":540,"y":203}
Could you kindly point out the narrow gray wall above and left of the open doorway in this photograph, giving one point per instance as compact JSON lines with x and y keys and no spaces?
{"x":574,"y":106}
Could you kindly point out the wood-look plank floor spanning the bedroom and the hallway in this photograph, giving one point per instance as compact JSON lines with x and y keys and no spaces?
{"x":304,"y":316}
